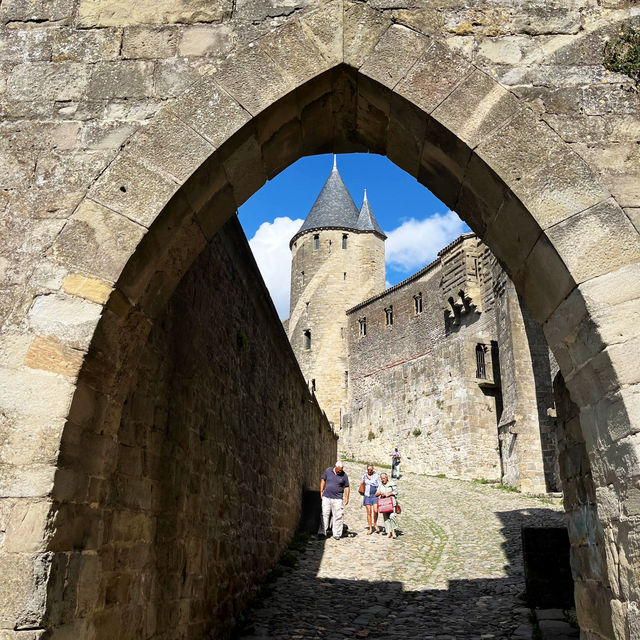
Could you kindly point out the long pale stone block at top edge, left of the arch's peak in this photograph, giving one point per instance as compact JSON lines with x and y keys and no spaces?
{"x":94,"y":13}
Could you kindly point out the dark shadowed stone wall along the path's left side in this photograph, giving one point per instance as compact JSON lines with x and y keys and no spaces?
{"x":218,"y":437}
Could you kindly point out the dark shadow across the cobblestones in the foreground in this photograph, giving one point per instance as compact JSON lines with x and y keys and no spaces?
{"x":300,"y":605}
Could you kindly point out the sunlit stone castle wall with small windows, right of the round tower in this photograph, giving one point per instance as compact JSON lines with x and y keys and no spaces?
{"x":414,"y":385}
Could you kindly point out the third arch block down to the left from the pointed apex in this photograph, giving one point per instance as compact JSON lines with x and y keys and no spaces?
{"x":253,"y":78}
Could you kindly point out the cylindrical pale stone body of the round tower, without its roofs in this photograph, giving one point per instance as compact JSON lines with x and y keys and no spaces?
{"x":334,"y":280}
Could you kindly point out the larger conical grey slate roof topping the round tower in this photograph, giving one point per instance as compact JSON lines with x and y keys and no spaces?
{"x":334,"y":206}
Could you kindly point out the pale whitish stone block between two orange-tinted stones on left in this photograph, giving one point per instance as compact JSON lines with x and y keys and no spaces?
{"x":70,"y":319}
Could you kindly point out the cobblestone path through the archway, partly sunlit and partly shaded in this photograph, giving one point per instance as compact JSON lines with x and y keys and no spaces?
{"x":454,"y":572}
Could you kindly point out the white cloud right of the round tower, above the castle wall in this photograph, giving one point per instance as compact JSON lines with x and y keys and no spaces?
{"x":415,"y":243}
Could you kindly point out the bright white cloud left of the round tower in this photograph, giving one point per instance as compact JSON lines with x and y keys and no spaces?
{"x":270,"y":246}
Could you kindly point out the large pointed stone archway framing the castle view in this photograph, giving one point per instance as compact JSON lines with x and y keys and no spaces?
{"x":570,"y":249}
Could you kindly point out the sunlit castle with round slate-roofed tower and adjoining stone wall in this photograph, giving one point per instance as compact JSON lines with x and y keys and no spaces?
{"x":447,"y":364}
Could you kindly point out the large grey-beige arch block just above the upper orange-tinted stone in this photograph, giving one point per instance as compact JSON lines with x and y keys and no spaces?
{"x":97,"y":242}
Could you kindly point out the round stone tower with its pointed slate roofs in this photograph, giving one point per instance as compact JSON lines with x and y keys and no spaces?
{"x":337,"y":262}
